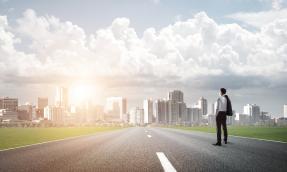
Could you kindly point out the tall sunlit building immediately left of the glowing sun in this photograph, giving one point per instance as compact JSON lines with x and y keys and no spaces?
{"x":62,"y":97}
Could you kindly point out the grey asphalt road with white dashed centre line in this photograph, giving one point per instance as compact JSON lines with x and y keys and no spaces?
{"x":147,"y":149}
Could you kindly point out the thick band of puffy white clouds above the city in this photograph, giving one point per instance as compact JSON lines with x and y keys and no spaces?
{"x":197,"y":50}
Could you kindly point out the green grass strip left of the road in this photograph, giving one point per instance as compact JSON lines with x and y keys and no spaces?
{"x":14,"y":137}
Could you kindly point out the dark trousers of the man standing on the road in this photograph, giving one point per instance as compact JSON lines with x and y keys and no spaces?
{"x":221,"y":121}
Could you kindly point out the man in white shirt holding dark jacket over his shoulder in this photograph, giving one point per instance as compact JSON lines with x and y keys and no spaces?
{"x":223,"y":108}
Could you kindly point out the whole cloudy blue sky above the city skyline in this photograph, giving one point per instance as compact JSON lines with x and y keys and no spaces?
{"x":144,"y":48}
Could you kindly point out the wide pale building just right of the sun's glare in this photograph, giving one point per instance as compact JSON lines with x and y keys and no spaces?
{"x":116,"y":108}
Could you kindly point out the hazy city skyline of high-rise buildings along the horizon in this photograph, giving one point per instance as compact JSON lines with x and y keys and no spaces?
{"x":169,"y":110}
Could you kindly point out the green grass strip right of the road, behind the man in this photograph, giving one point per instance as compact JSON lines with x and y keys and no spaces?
{"x":269,"y":133}
